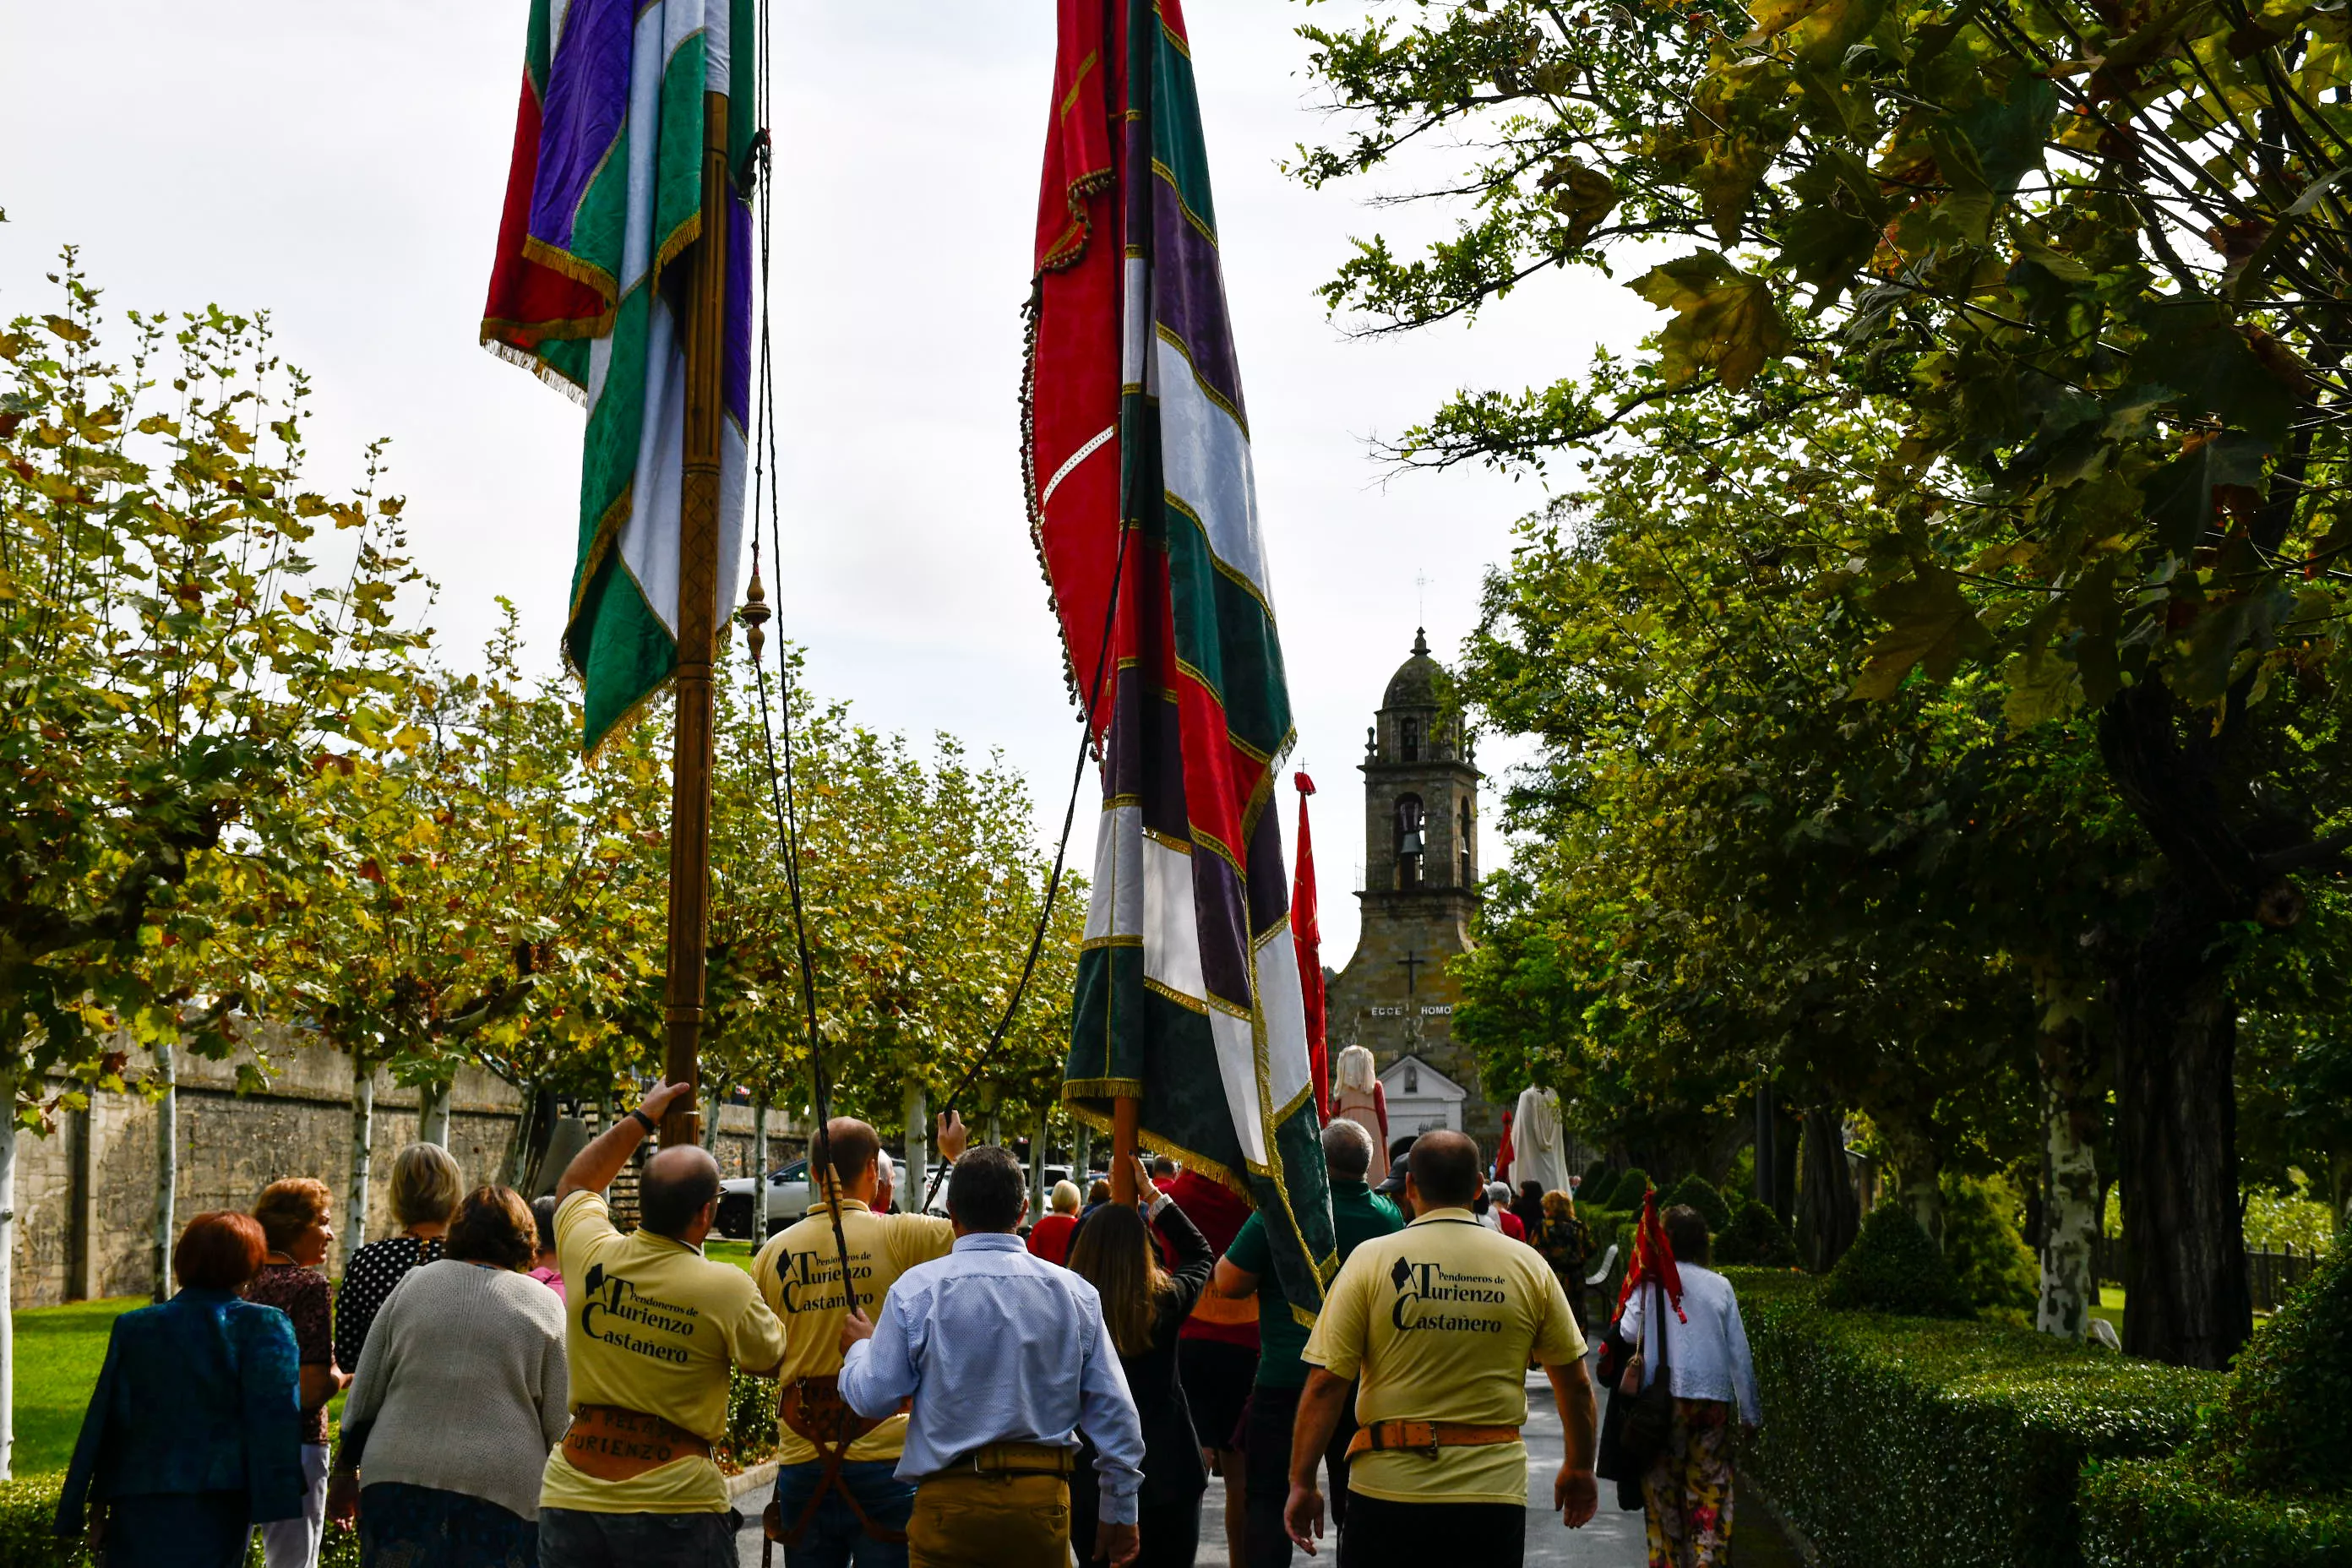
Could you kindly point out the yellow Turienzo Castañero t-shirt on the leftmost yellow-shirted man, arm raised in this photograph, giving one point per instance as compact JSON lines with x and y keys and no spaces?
{"x":650,"y":1325}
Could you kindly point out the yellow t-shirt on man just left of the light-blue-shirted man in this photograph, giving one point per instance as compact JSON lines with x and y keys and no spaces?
{"x":801,"y":1278}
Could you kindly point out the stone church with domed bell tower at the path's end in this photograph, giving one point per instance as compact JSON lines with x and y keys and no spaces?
{"x":1419,"y":904}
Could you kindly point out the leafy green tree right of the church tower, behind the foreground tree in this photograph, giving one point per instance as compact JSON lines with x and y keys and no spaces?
{"x":1737,"y":876}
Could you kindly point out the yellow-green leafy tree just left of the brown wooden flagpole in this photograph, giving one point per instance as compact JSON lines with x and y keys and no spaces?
{"x":481,"y":897}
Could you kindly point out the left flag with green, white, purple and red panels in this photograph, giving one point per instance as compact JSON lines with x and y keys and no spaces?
{"x":603,"y":213}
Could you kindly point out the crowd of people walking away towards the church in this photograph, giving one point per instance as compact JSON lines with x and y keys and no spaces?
{"x":533,"y":1386}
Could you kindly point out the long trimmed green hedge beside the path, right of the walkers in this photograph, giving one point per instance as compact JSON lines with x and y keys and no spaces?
{"x":1942,"y":1445}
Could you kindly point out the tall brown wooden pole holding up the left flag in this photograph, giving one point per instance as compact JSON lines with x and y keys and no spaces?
{"x":697,"y":636}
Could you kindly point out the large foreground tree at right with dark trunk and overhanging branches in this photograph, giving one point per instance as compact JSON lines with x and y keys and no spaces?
{"x":2083,"y":253}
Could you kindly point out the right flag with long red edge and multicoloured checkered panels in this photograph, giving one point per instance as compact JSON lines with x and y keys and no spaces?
{"x":1147,"y":518}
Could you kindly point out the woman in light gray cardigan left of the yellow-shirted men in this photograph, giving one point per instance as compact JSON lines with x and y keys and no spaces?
{"x":460,"y":1395}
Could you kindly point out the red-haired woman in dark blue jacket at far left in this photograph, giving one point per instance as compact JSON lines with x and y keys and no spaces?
{"x":194,"y":1433}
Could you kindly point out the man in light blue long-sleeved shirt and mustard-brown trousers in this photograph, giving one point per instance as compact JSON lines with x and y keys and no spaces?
{"x":1008,"y":1362}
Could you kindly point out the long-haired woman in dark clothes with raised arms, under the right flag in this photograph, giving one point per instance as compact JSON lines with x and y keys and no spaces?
{"x":1144,"y":1308}
